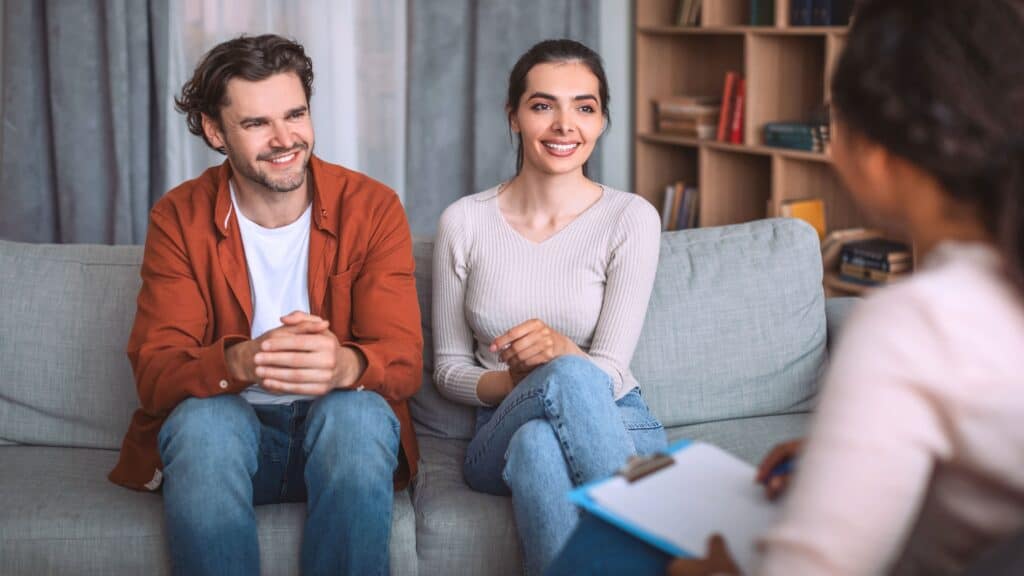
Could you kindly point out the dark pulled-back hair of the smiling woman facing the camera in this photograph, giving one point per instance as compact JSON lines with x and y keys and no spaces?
{"x":563,"y":51}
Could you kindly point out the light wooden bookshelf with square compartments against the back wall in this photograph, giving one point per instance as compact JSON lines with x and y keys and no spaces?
{"x":788,"y":71}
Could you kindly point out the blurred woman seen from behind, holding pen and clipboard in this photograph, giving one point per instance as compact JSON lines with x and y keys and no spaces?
{"x":915,"y":464}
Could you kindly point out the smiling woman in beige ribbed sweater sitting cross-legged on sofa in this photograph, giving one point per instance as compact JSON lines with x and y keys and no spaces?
{"x":541,"y":287}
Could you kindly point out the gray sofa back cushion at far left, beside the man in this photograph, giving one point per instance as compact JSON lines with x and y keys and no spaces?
{"x":67,"y":312}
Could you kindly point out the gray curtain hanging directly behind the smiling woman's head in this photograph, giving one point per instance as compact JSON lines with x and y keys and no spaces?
{"x":460,"y":56}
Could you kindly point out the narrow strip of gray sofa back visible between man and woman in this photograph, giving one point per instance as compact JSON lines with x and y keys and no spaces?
{"x":435,"y":416}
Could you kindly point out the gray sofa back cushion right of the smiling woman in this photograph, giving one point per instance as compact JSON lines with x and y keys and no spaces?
{"x":737,"y":323}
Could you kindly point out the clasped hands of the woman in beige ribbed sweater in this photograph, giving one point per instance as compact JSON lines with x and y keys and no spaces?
{"x":531,"y":345}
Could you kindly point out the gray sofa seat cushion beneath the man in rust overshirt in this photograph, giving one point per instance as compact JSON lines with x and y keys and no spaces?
{"x":62,"y":516}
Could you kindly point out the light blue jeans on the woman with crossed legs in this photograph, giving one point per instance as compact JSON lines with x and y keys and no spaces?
{"x":561,"y":428}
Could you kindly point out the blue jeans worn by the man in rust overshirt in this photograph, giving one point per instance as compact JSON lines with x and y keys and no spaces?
{"x":223,"y":457}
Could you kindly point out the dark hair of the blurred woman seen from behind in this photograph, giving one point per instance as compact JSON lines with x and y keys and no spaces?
{"x":942,"y":85}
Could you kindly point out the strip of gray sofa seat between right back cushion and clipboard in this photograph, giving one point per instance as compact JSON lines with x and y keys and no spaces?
{"x":750,"y":439}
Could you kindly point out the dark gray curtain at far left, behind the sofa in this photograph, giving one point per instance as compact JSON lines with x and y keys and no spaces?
{"x":80,"y":136}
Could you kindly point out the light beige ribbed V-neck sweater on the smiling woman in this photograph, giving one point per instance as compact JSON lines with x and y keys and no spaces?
{"x":590,"y":282}
